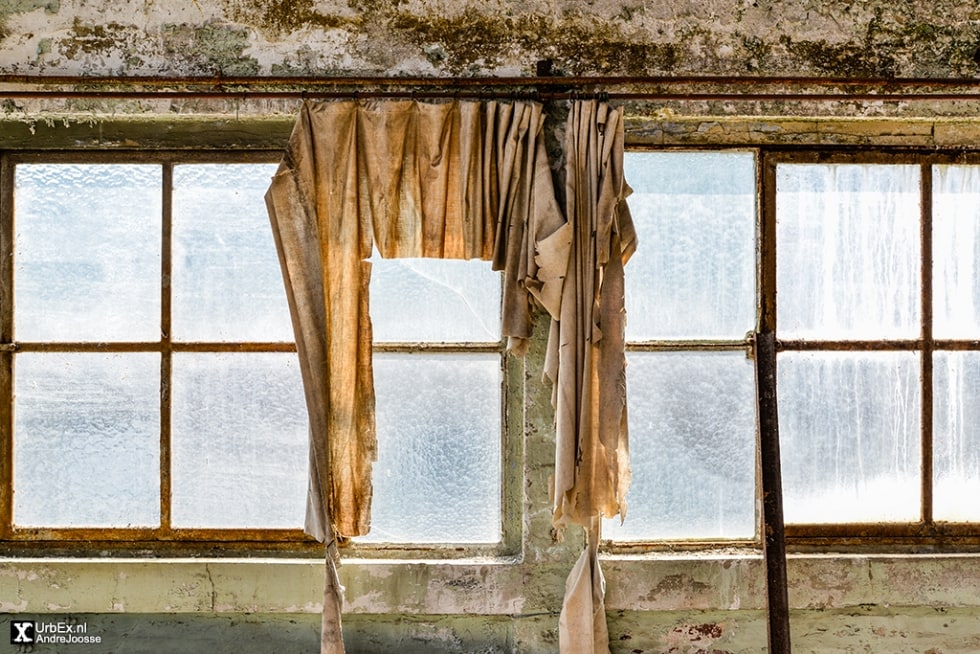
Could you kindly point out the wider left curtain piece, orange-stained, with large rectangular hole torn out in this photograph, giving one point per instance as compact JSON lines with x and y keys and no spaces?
{"x":457,"y":180}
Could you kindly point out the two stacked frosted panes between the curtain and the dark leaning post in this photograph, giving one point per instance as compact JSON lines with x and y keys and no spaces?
{"x":691,"y":308}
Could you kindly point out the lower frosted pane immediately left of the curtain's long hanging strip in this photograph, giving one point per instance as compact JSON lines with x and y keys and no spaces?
{"x":239,"y":441}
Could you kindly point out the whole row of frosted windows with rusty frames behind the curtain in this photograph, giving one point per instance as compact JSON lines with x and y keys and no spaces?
{"x":149,"y":389}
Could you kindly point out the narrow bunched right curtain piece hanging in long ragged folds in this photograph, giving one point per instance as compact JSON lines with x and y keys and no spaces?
{"x":587,"y":363}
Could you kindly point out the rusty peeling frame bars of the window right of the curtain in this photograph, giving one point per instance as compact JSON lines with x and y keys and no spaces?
{"x":873,"y":536}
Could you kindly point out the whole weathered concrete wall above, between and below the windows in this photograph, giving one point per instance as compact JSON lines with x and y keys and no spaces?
{"x":680,"y":603}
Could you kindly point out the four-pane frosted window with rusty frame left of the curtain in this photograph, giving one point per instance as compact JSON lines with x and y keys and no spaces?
{"x":152,"y":389}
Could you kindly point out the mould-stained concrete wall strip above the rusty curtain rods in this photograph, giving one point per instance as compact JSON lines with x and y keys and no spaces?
{"x":907,"y":38}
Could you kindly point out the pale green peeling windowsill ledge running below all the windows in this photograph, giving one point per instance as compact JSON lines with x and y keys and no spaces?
{"x":479,"y":586}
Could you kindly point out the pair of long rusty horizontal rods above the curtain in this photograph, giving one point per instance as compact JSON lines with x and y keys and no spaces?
{"x":663,"y":88}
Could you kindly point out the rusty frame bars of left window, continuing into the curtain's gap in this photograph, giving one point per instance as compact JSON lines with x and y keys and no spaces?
{"x":166,"y":539}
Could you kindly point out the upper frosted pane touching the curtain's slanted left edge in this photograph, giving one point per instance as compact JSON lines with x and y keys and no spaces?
{"x":227,"y":284}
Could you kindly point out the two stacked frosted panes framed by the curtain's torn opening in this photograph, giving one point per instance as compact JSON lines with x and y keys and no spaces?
{"x":438,"y":370}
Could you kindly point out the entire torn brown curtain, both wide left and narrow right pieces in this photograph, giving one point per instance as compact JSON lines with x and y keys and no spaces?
{"x":449,"y":180}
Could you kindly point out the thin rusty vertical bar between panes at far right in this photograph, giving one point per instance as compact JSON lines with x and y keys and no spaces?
{"x":927,"y":343}
